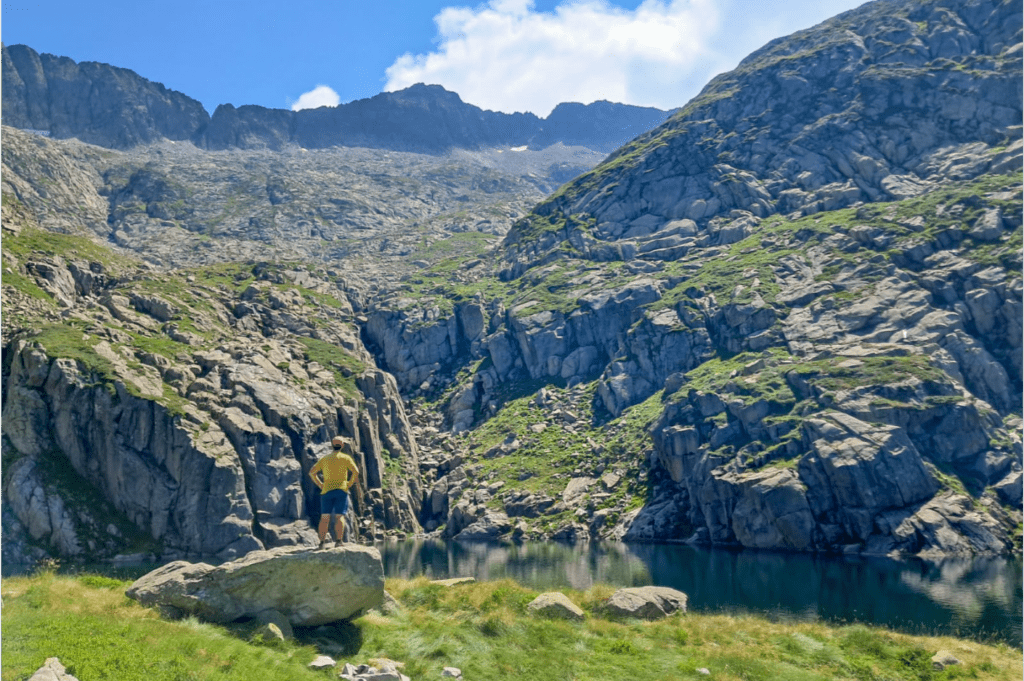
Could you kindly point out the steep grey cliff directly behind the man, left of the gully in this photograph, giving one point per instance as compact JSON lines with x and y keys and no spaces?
{"x":207,"y":452}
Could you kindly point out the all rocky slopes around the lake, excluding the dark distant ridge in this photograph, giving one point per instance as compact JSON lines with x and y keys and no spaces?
{"x":789,"y":318}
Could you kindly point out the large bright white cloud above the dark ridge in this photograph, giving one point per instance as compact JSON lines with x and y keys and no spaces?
{"x":507,"y":57}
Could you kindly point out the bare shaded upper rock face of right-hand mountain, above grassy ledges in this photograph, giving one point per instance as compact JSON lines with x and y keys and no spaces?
{"x":739,"y":151}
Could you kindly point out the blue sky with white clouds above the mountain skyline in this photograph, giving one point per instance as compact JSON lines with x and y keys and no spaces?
{"x":501,"y":55}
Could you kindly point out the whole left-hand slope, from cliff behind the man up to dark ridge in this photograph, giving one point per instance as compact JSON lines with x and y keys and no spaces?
{"x":122,"y":275}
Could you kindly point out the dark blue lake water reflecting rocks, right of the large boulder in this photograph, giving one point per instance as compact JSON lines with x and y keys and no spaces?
{"x":973,"y":598}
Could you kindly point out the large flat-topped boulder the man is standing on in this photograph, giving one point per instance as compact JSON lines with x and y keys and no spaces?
{"x":310,"y":588}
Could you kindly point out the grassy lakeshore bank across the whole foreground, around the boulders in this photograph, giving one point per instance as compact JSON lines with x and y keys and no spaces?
{"x":483,"y":628}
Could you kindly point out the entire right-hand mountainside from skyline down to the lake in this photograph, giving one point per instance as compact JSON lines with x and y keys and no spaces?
{"x":816,"y":309}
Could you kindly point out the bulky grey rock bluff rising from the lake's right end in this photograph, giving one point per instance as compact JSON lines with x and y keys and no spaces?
{"x":748,"y":474}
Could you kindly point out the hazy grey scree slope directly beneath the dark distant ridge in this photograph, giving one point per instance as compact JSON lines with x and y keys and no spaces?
{"x":176,"y":205}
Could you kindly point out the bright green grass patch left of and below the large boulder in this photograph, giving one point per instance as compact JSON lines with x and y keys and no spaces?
{"x":99,"y":633}
